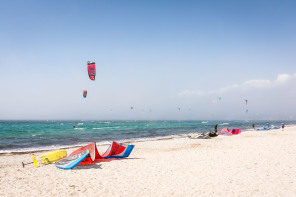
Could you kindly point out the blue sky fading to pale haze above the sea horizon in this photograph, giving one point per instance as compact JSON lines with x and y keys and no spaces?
{"x":168,"y":59}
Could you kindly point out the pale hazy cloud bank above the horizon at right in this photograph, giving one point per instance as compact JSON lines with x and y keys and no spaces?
{"x":268,"y":99}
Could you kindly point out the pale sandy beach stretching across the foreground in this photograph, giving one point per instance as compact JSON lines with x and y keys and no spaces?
{"x":254,"y":163}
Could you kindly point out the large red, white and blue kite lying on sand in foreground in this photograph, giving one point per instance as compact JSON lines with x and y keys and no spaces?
{"x":89,"y":154}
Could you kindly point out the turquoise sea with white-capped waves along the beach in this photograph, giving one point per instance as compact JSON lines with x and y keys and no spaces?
{"x":28,"y":135}
